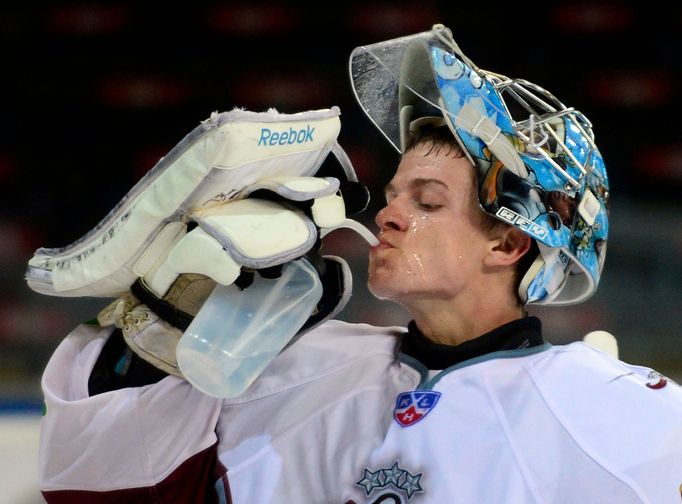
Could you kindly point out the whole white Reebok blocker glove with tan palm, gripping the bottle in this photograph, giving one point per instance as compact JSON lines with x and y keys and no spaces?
{"x":235,"y":195}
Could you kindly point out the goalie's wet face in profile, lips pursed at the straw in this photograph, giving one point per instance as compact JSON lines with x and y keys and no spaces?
{"x":432,"y":237}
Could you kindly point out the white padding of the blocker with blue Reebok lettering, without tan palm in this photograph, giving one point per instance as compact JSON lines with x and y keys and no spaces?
{"x":205,"y":180}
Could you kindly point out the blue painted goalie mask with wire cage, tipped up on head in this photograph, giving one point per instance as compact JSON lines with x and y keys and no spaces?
{"x":538,"y":166}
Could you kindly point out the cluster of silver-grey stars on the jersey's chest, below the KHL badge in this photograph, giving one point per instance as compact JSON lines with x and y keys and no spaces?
{"x":388,"y":481}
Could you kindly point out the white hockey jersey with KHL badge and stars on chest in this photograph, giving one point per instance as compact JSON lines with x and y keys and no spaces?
{"x":341,"y":417}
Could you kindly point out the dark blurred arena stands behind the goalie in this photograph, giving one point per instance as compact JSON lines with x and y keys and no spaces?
{"x":95,"y":93}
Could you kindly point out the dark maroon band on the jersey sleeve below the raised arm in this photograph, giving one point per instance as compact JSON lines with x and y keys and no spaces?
{"x":199,"y":479}
